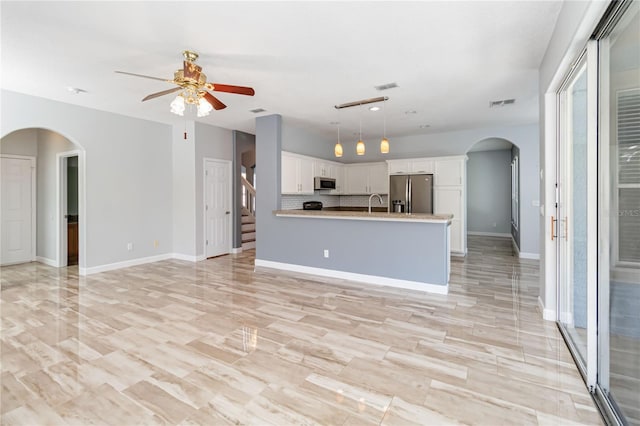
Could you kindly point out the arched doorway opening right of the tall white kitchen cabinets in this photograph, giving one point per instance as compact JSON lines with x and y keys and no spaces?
{"x":493,"y":193}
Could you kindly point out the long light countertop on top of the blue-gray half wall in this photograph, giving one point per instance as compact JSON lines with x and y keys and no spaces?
{"x":364,"y":215}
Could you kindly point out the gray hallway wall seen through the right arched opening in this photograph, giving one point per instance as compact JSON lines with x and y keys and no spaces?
{"x":489,"y":192}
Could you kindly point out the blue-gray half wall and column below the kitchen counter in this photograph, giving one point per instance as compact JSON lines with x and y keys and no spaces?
{"x":350,"y":243}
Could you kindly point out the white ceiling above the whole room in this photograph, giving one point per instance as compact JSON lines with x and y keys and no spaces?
{"x":448,"y":58}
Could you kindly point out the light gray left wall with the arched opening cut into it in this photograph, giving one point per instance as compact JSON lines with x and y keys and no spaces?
{"x":128,"y":174}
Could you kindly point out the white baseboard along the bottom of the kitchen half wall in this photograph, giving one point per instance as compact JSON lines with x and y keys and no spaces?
{"x":369,"y":279}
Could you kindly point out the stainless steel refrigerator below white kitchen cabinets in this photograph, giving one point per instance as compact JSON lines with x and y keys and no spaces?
{"x":411,"y":193}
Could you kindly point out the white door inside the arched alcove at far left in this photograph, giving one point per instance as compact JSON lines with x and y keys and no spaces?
{"x":17,"y":228}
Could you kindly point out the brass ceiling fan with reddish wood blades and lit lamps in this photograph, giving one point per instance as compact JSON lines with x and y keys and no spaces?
{"x":192,"y":83}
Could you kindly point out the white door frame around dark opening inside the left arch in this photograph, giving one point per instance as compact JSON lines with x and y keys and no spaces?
{"x":61,"y":202}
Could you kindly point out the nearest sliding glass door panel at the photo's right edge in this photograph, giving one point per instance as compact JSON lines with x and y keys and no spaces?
{"x":619,"y":216}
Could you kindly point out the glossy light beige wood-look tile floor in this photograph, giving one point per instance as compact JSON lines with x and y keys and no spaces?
{"x":216,"y":343}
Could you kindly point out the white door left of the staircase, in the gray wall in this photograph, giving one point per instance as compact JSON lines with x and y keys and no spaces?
{"x":217,"y":208}
